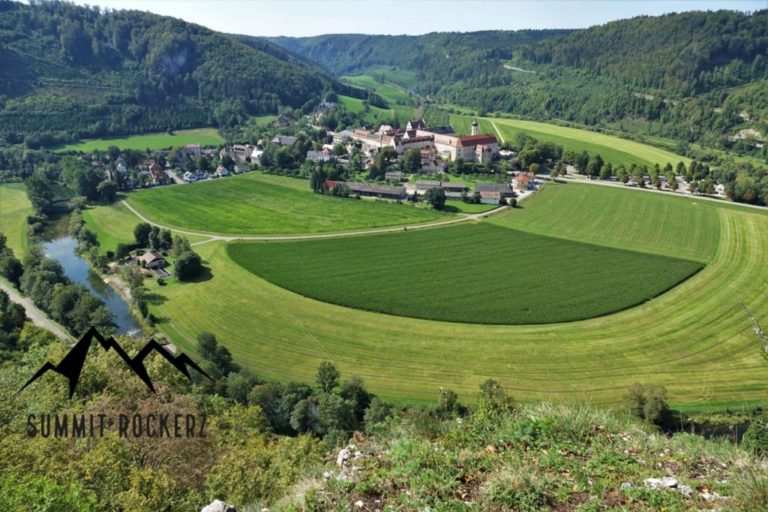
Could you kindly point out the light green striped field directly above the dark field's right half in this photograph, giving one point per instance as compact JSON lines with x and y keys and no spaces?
{"x":622,"y":218}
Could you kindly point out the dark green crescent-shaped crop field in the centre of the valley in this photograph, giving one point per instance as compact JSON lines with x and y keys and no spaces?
{"x":507,"y":277}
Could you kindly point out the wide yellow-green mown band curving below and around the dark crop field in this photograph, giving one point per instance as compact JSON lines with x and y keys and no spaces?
{"x":694,"y":339}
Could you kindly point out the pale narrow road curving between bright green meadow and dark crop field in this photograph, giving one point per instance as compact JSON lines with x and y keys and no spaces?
{"x":264,"y":238}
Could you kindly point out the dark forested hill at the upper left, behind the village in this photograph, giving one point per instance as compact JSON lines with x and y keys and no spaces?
{"x":70,"y":71}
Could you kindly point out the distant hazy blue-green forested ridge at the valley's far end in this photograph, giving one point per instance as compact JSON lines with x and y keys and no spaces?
{"x":433,"y":60}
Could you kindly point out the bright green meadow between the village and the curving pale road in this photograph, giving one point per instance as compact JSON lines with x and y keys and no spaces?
{"x":262,"y":204}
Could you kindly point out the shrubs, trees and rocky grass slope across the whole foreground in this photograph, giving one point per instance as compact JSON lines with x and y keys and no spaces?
{"x":492,"y":455}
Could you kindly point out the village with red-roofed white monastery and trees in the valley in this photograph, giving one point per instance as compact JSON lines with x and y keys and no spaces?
{"x":434,"y":154}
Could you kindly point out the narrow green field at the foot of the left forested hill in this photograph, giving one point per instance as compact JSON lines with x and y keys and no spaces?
{"x":202,"y":136}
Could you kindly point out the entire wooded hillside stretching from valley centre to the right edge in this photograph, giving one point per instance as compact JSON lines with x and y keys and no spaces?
{"x":695,"y":76}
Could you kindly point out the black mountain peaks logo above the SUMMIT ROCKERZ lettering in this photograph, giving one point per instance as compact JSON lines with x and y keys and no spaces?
{"x":72,"y":364}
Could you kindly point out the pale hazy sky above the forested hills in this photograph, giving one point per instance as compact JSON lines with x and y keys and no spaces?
{"x":313,"y":17}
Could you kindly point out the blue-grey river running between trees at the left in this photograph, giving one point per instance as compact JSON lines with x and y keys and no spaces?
{"x":63,"y":248}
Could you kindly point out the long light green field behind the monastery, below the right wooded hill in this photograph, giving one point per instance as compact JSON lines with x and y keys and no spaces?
{"x":613,"y":149}
